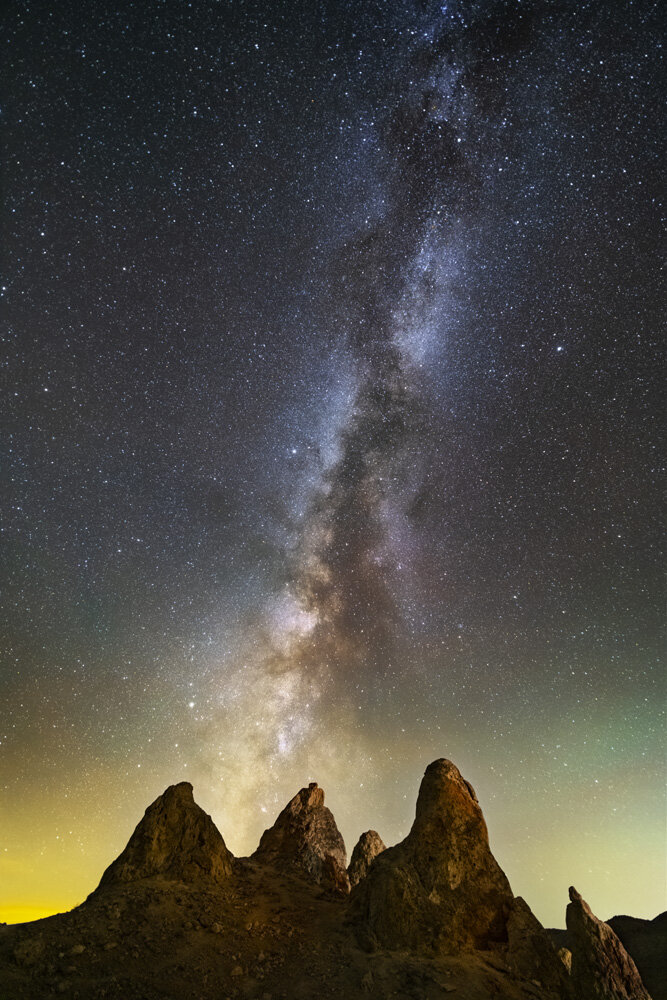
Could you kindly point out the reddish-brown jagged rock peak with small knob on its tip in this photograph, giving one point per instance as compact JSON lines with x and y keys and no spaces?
{"x":305,"y":837}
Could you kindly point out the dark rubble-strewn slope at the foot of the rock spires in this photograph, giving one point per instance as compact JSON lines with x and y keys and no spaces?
{"x":273,"y":936}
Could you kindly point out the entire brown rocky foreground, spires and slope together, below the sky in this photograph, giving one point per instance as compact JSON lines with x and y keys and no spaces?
{"x":176,"y":917}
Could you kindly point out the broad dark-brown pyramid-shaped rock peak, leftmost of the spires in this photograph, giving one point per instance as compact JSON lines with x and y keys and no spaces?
{"x":176,"y":839}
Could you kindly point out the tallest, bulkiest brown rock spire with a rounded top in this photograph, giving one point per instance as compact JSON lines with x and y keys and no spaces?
{"x":441,"y":889}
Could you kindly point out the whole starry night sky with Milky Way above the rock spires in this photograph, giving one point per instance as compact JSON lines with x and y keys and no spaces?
{"x":330,"y":428}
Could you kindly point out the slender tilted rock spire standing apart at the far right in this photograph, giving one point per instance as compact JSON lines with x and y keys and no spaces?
{"x":601,"y":967}
